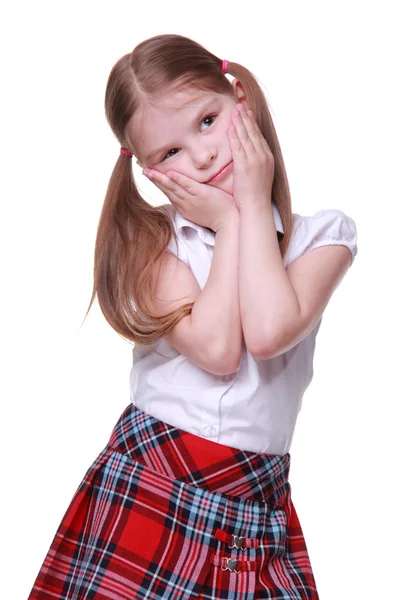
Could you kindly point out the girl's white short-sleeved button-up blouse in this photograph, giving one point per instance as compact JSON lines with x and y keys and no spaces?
{"x":254,"y":408}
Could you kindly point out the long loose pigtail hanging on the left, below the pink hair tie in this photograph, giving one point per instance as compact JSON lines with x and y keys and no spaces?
{"x":131,"y":238}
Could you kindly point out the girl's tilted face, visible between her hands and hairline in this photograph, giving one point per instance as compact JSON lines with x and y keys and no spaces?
{"x":187,"y":132}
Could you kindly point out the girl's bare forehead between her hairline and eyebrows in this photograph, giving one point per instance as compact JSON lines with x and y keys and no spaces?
{"x":161,"y":118}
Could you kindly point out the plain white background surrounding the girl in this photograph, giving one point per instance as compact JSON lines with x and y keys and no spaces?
{"x":331,"y":79}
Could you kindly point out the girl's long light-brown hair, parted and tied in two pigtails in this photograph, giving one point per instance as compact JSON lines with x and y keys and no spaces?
{"x":132,"y":235}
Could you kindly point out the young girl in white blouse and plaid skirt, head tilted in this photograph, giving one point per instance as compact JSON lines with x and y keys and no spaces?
{"x":223,"y":298}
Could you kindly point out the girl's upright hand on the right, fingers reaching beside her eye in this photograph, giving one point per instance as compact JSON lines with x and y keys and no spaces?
{"x":253,"y":161}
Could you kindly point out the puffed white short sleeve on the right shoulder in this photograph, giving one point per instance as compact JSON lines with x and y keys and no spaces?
{"x":324,"y":228}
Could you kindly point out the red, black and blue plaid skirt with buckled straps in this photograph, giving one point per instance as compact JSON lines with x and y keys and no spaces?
{"x":165,"y":514}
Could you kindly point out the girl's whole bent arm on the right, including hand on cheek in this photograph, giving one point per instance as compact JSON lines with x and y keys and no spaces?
{"x":278,"y":307}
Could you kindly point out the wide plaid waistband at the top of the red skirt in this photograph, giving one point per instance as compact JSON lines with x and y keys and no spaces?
{"x":183,"y":456}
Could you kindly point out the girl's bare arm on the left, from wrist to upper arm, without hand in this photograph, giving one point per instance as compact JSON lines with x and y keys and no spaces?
{"x":211,"y":336}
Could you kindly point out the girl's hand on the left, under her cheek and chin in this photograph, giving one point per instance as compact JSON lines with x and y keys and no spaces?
{"x":200,"y":203}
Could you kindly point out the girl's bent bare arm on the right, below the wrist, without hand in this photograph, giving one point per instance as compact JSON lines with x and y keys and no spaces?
{"x":280,"y":307}
